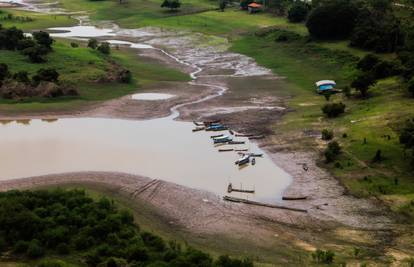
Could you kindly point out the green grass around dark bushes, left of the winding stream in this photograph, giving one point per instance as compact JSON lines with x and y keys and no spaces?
{"x":81,"y":67}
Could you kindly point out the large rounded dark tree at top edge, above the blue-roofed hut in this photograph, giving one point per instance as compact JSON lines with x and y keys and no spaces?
{"x":331,"y":20}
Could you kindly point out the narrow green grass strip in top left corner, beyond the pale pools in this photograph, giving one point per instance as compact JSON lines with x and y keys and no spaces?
{"x":39,"y":21}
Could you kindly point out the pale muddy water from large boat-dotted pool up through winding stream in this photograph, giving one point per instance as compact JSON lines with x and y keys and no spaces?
{"x":160,"y":148}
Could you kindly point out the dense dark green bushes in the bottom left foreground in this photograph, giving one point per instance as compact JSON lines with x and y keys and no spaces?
{"x":57,"y":222}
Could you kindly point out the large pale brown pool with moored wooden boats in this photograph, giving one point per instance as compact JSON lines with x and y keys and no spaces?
{"x":161,"y":148}
